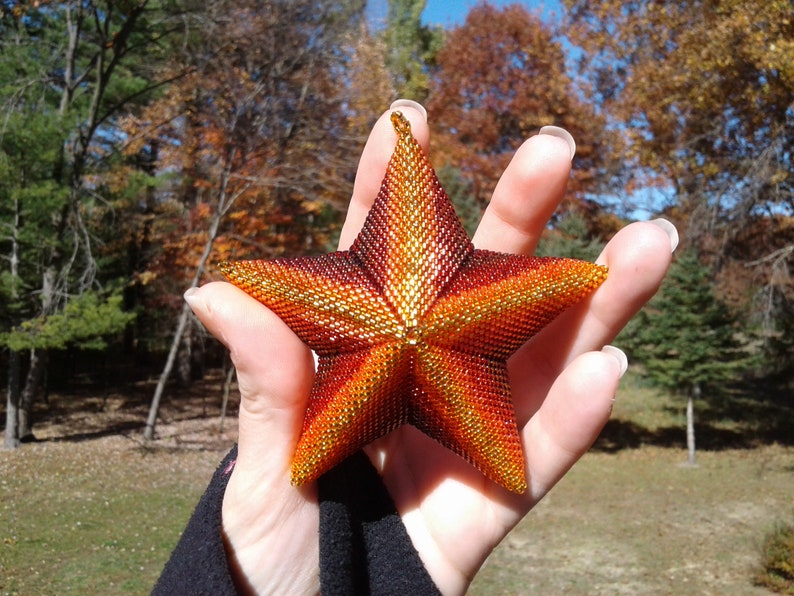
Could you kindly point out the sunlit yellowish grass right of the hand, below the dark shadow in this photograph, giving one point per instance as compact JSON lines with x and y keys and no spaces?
{"x":640,"y":522}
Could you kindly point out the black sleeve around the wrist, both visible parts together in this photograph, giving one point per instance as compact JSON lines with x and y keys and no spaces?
{"x":364,"y":547}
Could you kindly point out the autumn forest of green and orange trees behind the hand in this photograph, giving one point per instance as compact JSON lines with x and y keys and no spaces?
{"x":144,"y":141}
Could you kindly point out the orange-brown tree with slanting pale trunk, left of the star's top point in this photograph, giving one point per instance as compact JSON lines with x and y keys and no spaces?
{"x":252,"y":140}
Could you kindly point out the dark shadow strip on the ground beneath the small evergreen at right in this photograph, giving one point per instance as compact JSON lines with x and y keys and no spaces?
{"x":748,"y":418}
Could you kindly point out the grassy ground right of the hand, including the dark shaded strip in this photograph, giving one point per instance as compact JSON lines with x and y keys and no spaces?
{"x":632,"y":518}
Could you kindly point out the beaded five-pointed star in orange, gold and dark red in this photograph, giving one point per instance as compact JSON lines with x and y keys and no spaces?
{"x":413,"y":325}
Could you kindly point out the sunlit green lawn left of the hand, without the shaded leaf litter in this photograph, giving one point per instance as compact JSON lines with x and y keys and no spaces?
{"x":93,"y":517}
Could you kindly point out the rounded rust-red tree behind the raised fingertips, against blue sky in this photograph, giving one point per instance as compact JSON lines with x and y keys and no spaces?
{"x":499,"y":77}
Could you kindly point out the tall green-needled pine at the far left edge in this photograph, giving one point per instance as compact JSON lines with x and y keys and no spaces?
{"x":68,"y":69}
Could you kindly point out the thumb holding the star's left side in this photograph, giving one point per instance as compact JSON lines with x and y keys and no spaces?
{"x":274,"y":374}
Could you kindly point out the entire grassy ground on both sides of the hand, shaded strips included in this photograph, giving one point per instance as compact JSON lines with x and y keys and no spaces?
{"x":89,"y":508}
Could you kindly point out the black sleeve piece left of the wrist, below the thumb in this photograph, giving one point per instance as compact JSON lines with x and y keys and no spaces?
{"x":198,"y":564}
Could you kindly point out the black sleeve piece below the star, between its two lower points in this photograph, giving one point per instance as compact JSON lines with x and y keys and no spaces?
{"x":364,"y":546}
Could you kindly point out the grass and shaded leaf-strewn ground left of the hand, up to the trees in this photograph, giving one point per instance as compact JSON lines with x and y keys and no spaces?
{"x":90,"y":509}
